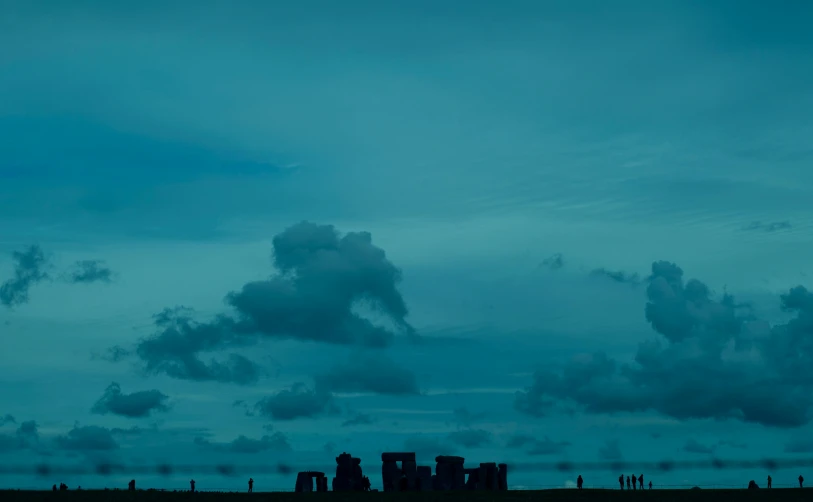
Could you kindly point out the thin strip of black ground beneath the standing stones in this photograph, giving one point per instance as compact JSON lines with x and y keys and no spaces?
{"x":774,"y":495}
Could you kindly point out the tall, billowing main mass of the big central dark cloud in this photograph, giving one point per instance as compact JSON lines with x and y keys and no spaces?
{"x":323,"y":277}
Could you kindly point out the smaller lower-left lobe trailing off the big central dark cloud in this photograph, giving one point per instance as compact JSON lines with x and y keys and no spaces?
{"x":175,"y":350}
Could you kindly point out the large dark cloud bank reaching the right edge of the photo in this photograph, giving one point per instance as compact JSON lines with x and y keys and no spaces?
{"x":714,"y":360}
